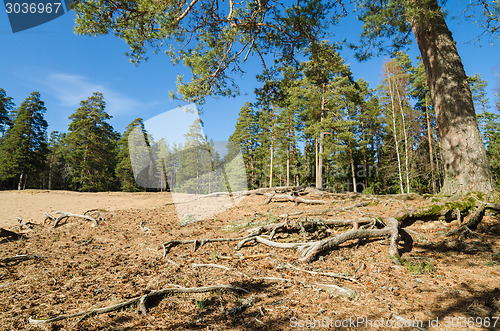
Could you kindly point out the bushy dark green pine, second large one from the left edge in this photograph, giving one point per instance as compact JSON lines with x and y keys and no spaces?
{"x":92,"y":146}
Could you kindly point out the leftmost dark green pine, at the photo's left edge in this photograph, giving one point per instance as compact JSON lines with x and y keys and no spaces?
{"x":24,"y":148}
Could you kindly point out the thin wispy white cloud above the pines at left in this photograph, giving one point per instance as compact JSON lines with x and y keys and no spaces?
{"x":70,"y":89}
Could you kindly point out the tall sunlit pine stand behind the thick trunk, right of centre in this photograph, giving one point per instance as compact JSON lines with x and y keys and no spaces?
{"x":384,"y":140}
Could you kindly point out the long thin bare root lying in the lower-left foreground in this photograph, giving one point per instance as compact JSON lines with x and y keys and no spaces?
{"x":139,"y":300}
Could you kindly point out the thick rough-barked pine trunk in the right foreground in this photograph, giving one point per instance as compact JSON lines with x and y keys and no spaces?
{"x":465,"y":162}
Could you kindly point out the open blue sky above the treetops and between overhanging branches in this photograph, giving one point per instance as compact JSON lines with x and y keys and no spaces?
{"x":66,"y":68}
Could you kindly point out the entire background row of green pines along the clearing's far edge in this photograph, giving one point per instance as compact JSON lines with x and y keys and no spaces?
{"x":379,"y":140}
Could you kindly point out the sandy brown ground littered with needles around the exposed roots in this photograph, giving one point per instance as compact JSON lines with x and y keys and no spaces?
{"x":440,"y":284}
